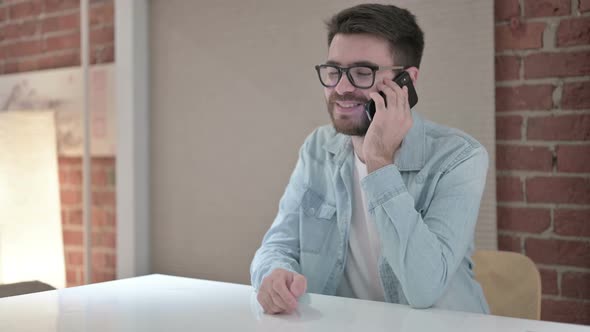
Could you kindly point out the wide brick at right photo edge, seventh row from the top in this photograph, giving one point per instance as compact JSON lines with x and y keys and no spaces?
{"x":567,"y":190}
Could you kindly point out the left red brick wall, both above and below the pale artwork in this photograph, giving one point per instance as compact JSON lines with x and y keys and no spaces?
{"x":45,"y":34}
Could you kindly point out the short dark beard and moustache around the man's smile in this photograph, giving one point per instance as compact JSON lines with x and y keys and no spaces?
{"x":352,"y":124}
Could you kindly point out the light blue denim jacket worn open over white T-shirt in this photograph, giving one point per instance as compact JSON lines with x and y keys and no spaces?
{"x":425,"y":207}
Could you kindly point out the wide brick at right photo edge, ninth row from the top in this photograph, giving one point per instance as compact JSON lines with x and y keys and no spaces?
{"x":558,"y":252}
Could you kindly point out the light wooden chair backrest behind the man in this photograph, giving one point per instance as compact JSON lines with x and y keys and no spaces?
{"x":510,"y":282}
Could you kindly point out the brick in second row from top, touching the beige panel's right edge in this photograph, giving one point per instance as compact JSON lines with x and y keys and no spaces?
{"x":523,"y":36}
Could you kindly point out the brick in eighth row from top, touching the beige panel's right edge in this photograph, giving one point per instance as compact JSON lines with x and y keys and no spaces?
{"x":529,"y":220}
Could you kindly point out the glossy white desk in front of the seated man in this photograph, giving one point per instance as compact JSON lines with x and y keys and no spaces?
{"x":165,"y":303}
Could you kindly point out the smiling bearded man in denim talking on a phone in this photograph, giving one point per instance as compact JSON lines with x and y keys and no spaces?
{"x":381,"y":210}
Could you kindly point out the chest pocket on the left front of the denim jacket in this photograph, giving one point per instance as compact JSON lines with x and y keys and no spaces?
{"x":318,"y":222}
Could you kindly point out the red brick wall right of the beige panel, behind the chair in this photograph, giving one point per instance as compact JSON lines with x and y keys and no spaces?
{"x":543,"y":146}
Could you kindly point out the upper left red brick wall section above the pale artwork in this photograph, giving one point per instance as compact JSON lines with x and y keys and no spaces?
{"x":45,"y":34}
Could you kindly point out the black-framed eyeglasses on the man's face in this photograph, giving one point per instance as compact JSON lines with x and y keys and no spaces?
{"x":362,"y":77}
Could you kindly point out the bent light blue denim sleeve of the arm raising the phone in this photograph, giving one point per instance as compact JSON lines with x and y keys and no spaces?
{"x":425,"y":249}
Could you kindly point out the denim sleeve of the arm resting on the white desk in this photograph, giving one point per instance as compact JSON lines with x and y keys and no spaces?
{"x":280,"y":245}
